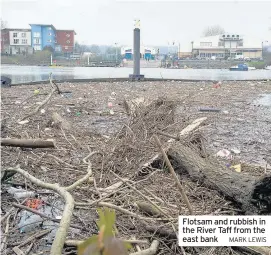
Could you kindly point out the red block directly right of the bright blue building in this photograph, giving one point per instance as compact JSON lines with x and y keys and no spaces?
{"x":65,"y":41}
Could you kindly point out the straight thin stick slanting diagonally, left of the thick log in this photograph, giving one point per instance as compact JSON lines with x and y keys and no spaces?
{"x":175,"y":177}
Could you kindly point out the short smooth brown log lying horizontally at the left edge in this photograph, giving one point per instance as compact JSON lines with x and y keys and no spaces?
{"x":28,"y":143}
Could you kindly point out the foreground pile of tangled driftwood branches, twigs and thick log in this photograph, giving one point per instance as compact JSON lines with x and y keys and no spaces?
{"x":151,"y":171}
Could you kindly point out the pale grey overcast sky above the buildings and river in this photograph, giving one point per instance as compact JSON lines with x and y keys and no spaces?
{"x":110,"y":21}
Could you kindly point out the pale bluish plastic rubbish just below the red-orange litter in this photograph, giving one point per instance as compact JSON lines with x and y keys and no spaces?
{"x":29,"y":221}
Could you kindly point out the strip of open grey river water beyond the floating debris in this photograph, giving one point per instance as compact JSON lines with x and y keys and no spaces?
{"x":24,"y":74}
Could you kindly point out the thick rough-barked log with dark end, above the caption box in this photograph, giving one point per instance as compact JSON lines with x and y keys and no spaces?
{"x":251,"y":193}
